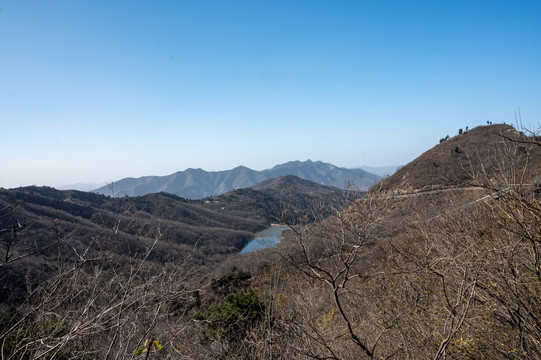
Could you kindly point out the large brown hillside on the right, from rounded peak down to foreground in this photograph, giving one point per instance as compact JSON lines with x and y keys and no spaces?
{"x":441,"y":274}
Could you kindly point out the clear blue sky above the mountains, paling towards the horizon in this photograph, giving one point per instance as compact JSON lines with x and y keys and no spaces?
{"x":98,"y":90}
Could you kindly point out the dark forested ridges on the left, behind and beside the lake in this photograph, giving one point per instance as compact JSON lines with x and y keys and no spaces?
{"x":224,"y":222}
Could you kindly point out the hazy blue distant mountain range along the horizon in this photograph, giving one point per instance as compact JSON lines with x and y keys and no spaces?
{"x":198,"y":183}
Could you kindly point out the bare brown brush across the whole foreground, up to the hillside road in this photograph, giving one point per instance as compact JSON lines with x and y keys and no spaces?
{"x":450,"y":273}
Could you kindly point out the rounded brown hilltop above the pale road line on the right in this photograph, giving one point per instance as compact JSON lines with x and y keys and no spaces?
{"x":459,"y":160}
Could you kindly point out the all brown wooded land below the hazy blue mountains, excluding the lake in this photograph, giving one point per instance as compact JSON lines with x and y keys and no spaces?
{"x":439,"y":260}
